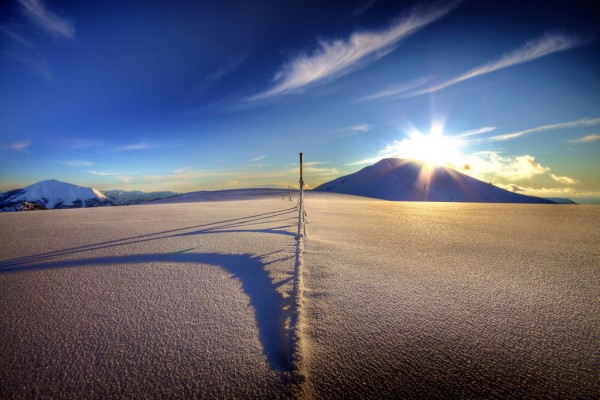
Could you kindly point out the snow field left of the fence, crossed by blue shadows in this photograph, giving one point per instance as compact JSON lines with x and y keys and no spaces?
{"x":181,"y":300}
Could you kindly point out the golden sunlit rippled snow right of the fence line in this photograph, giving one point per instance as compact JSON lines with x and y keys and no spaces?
{"x":446,"y":300}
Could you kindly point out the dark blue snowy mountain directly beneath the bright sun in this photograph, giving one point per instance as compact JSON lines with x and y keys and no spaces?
{"x":409,"y":180}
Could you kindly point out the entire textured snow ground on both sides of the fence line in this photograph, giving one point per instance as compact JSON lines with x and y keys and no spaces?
{"x":405,"y":299}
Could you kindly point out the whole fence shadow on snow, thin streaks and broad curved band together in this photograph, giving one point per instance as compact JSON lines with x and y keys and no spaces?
{"x":271,"y":309}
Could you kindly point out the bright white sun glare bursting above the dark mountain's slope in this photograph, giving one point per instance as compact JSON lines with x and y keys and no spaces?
{"x":433,"y":148}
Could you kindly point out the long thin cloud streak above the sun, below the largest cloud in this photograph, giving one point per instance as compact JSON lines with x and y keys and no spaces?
{"x":532,"y":50}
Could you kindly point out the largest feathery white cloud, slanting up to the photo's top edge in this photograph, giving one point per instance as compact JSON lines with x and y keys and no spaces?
{"x":337,"y":57}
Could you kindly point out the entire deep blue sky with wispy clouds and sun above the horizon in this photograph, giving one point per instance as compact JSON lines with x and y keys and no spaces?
{"x":188,"y":95}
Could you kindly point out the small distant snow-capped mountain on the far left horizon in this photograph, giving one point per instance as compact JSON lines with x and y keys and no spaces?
{"x":52,"y":194}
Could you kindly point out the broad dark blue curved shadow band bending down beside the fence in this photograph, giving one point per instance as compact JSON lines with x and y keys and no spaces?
{"x":270,"y":307}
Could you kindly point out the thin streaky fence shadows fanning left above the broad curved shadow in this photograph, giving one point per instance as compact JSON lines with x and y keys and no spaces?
{"x":212,"y":227}
